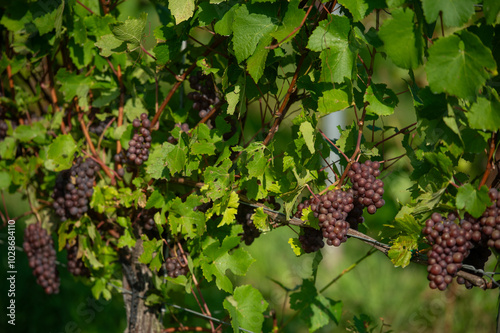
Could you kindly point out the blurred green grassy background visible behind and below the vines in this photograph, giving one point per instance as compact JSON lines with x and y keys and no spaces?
{"x":398,"y":297}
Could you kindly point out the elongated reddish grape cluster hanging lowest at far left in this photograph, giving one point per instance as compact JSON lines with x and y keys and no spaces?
{"x":39,"y":247}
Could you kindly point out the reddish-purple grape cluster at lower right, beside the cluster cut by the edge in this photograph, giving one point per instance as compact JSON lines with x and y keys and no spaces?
{"x":450,"y":246}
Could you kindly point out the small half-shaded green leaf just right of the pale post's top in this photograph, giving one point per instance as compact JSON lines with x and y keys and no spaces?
{"x":382,"y":100}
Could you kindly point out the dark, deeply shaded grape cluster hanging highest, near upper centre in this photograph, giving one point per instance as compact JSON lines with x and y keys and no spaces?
{"x":204,"y":95}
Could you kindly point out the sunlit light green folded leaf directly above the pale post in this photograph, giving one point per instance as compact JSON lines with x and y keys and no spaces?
{"x":331,"y":38}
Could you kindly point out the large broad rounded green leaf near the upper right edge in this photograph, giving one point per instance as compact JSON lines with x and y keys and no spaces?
{"x":459,"y":65}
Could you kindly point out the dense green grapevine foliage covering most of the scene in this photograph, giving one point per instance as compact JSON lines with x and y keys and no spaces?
{"x":154,"y":147}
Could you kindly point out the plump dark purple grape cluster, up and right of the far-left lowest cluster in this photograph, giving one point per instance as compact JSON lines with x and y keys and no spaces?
{"x":74,"y":188}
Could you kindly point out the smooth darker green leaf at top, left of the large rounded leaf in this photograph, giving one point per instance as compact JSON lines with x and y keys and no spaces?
{"x":402,"y":42}
